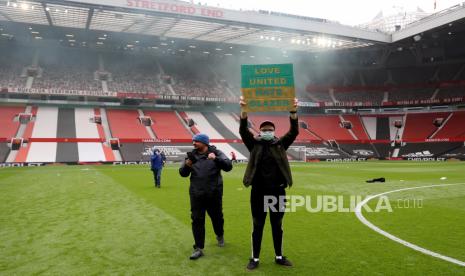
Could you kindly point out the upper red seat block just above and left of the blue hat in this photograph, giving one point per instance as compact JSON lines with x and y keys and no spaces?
{"x":167,"y":125}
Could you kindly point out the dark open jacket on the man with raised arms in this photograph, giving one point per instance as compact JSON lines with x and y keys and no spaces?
{"x":278,"y":149}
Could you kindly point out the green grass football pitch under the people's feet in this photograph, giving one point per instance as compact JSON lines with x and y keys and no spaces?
{"x":98,"y":220}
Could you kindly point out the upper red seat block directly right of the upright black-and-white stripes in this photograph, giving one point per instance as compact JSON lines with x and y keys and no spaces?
{"x":125,"y":124}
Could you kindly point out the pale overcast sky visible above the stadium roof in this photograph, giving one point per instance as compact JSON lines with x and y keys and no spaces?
{"x":349,"y":12}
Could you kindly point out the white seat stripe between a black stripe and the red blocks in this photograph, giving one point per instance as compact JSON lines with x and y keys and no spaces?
{"x":85,"y":128}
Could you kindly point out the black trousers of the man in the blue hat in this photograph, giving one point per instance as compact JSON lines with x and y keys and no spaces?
{"x":211,"y":204}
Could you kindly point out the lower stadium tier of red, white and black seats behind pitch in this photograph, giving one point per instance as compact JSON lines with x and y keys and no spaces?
{"x":82,"y":134}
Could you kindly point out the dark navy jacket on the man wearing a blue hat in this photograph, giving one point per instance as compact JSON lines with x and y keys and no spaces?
{"x":205,"y":175}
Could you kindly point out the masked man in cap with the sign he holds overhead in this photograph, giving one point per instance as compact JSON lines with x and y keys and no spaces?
{"x":265,"y":88}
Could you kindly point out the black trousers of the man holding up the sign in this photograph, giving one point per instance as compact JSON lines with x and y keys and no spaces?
{"x":259,"y":198}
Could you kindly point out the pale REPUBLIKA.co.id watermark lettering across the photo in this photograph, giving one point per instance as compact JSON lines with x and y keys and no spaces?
{"x":332,"y":203}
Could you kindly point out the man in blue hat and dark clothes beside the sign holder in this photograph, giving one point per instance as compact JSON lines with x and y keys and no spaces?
{"x":204,"y":165}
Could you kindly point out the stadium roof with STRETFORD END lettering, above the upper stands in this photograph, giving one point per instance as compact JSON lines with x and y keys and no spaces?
{"x":181,"y":20}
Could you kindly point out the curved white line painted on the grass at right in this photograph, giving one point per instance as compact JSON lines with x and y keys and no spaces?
{"x":358,"y":213}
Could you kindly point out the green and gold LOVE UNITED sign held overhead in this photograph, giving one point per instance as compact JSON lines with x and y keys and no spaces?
{"x":268,"y":87}
